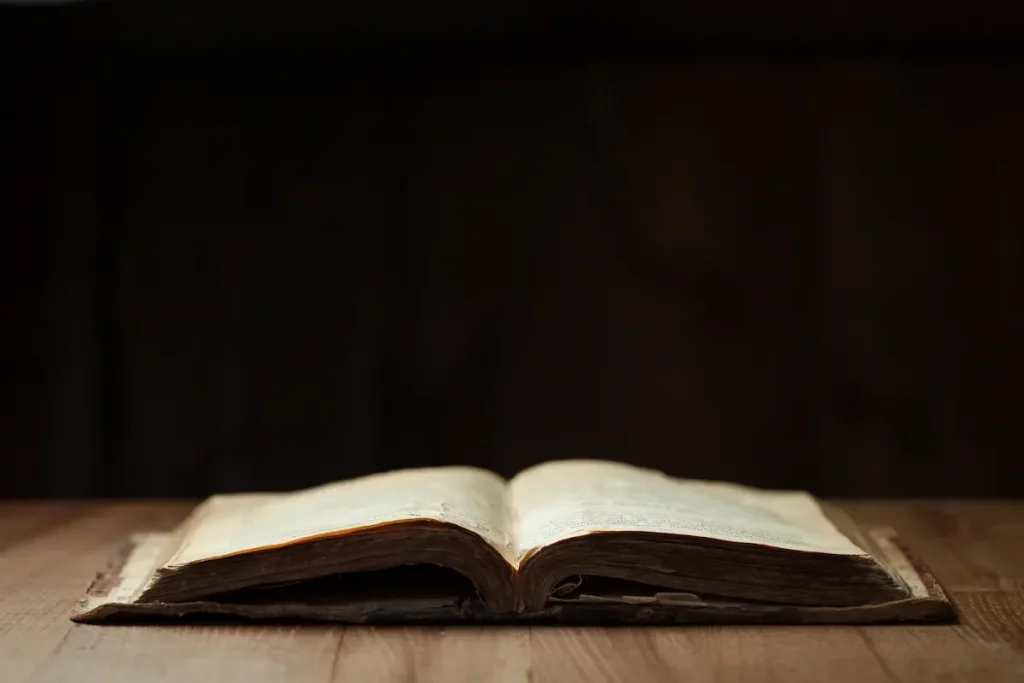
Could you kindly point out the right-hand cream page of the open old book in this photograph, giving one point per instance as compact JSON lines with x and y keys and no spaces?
{"x":563,"y":500}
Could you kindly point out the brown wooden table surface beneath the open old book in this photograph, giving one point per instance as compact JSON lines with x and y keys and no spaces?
{"x":51,"y":551}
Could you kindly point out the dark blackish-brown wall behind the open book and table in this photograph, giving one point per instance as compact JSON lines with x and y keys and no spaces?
{"x":248,"y":249}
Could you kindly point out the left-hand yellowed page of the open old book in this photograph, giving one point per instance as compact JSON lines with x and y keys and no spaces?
{"x":466,"y":497}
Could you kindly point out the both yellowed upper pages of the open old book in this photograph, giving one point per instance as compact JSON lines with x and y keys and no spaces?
{"x":541,"y":506}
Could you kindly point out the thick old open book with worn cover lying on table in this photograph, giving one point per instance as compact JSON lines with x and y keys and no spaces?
{"x":578,"y":541}
